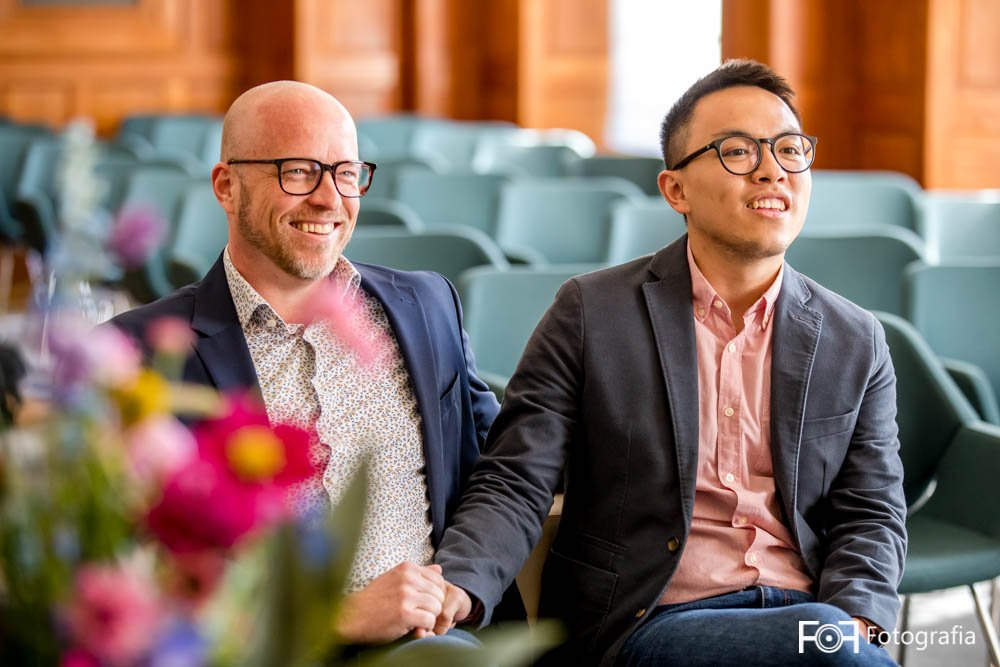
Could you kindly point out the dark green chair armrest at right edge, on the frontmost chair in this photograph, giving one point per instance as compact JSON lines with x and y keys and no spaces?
{"x":967,"y":491}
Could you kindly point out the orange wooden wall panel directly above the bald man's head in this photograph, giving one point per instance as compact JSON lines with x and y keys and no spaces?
{"x":353,"y":50}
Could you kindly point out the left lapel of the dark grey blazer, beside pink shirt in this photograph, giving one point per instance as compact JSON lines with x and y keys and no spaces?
{"x":669,"y":302}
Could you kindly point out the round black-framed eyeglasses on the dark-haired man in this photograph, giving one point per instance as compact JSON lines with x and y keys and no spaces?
{"x":741,"y":155}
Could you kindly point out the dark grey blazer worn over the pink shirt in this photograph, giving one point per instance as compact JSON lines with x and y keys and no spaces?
{"x":608,"y":389}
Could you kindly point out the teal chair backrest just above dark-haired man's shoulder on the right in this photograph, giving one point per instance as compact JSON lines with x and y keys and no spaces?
{"x":863,"y":264}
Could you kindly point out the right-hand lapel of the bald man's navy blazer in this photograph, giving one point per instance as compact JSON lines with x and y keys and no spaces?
{"x":409,"y":324}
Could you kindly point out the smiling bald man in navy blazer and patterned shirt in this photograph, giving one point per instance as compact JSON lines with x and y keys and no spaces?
{"x":290,"y":181}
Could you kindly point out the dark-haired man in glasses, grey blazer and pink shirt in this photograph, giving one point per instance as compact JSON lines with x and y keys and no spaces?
{"x":725,"y":425}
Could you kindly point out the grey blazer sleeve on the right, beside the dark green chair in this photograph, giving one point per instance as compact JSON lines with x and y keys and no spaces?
{"x":866,"y":541}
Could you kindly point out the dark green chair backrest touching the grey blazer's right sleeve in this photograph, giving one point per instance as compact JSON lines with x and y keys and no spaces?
{"x":930,"y":407}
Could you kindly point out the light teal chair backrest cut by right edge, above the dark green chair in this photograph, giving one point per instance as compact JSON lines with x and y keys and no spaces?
{"x":956,"y":308}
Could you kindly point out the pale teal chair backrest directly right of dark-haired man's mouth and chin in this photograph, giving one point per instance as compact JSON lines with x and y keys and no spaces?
{"x":863,"y":198}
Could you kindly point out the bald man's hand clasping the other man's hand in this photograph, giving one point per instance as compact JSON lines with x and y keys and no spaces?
{"x":406,"y":598}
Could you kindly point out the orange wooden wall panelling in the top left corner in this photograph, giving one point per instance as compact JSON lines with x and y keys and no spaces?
{"x":104,"y":62}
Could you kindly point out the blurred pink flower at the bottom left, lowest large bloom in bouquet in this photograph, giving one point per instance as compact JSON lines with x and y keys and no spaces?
{"x":113,"y":615}
